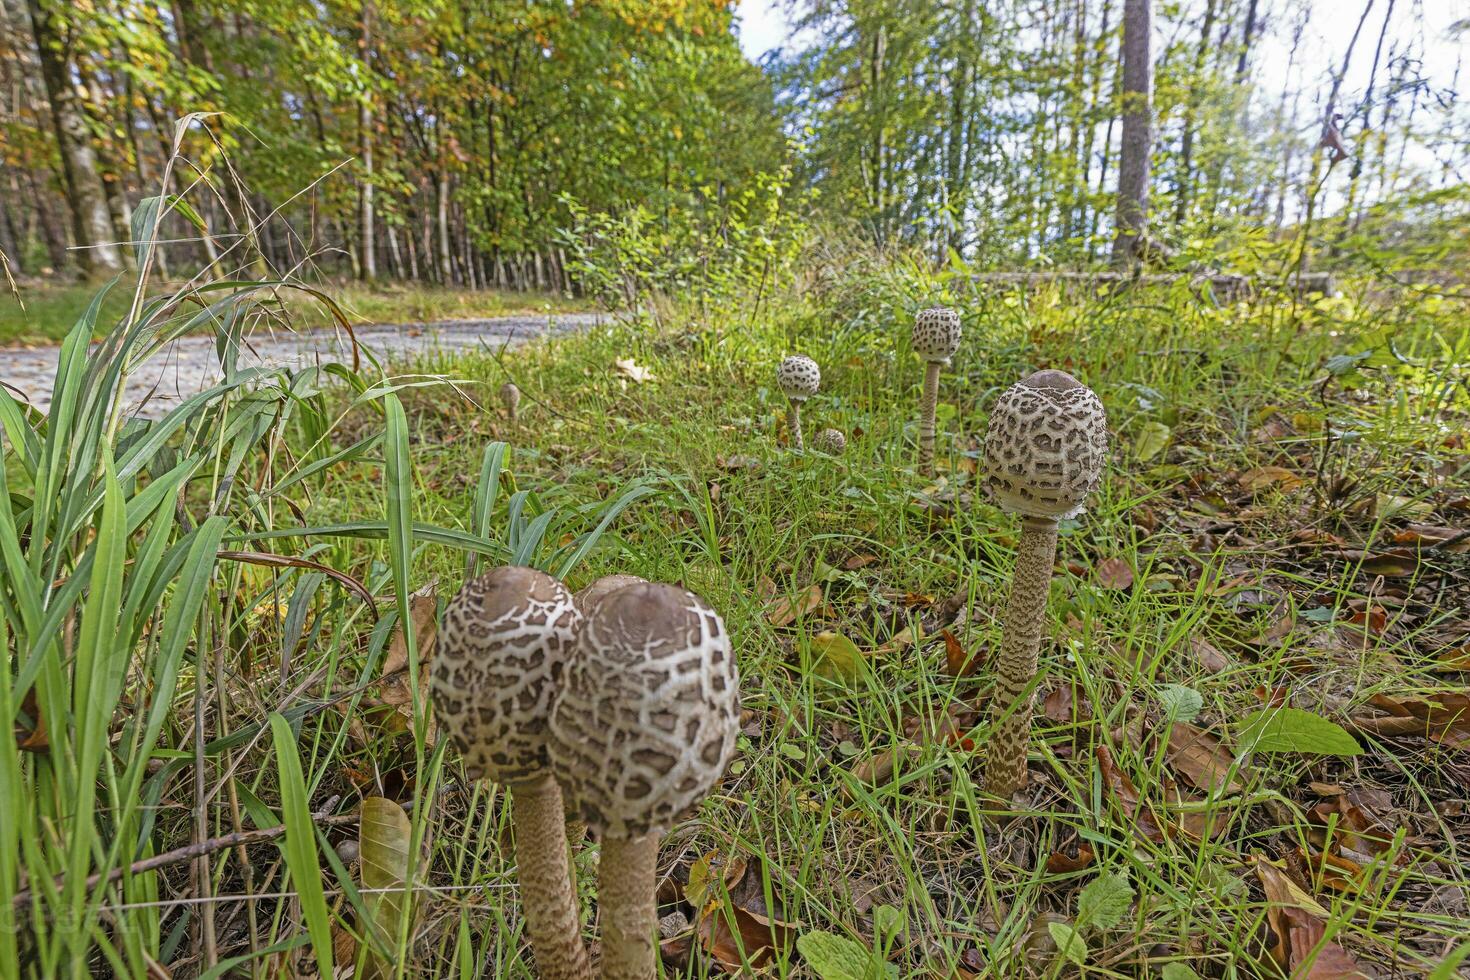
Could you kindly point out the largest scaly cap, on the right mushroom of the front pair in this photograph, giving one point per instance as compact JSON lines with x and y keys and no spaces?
{"x":646,"y":718}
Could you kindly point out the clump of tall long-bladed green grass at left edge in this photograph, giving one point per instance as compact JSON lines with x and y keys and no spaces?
{"x":186,"y":652}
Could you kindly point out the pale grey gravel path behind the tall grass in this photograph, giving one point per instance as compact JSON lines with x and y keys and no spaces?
{"x":190,"y":365}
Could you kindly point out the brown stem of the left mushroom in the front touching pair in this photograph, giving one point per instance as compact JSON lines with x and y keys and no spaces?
{"x":548,"y":896}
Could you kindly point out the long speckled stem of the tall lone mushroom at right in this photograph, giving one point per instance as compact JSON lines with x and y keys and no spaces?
{"x":1017,"y":669}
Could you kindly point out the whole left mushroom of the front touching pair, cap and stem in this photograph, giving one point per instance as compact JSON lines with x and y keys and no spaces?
{"x":502,"y":652}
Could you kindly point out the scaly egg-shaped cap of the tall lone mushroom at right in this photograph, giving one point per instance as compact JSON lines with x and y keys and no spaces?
{"x":1046,"y":446}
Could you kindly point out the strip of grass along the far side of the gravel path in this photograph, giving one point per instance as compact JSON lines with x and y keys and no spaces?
{"x":43,"y":314}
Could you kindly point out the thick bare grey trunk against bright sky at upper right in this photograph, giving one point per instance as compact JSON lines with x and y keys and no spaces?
{"x":1139,"y":109}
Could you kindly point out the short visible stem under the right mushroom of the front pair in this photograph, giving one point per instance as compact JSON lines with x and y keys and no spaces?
{"x":625,"y":900}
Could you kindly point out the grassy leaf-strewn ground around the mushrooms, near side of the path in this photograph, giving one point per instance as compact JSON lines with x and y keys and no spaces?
{"x":1249,"y":584}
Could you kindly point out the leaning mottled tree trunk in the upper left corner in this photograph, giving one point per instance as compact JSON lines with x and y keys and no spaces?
{"x":92,"y":221}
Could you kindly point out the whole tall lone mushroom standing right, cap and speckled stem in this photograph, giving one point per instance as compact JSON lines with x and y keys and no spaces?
{"x":1044,"y":453}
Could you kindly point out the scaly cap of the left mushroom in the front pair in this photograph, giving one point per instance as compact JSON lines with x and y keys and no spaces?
{"x":499,"y":657}
